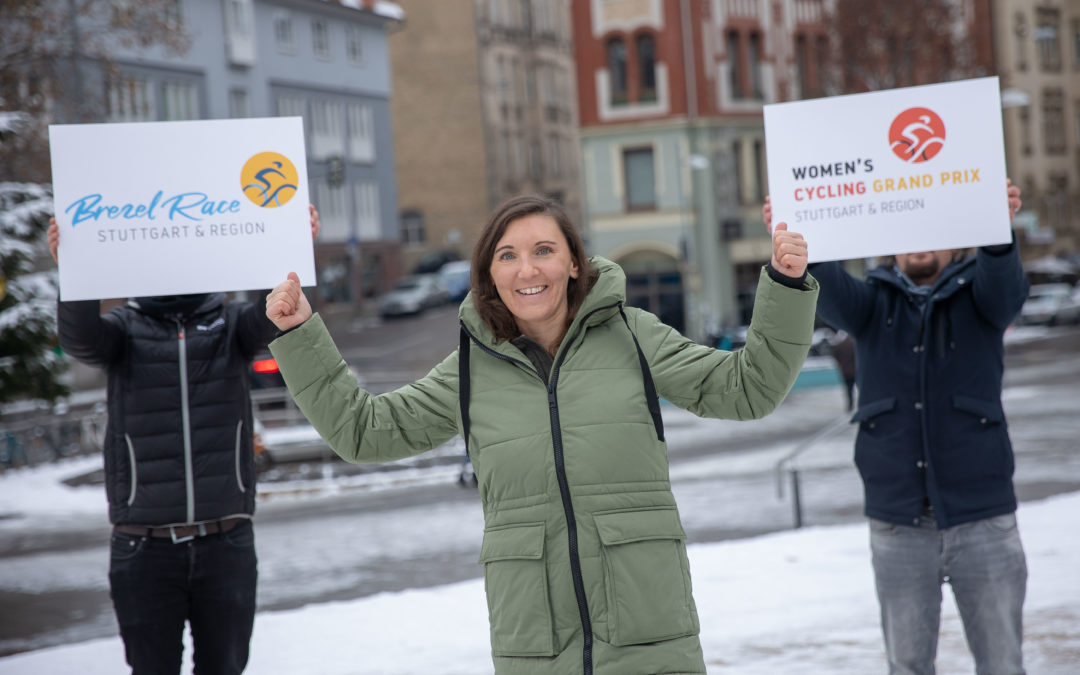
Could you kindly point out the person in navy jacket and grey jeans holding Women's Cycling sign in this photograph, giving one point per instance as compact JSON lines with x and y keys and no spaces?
{"x":934,"y":448}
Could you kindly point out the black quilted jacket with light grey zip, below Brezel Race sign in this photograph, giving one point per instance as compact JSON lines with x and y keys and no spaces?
{"x":179,"y":441}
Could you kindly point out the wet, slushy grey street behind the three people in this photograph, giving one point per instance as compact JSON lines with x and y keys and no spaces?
{"x":342,"y":538}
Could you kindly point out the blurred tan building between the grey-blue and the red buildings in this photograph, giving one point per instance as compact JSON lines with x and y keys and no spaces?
{"x":483,"y":110}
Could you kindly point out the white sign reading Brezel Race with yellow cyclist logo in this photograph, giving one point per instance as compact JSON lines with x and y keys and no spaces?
{"x":177,"y":208}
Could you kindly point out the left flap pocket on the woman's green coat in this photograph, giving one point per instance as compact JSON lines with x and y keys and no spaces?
{"x":516,"y":580}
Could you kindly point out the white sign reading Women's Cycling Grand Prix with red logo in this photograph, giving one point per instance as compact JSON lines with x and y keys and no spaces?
{"x":900,"y":171}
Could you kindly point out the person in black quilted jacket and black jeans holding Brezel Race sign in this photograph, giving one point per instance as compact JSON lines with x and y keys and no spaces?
{"x":180,"y":469}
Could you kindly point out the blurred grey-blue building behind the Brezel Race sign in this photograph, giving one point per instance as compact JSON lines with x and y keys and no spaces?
{"x":326,"y":62}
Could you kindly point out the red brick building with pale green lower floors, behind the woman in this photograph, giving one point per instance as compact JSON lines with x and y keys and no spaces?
{"x":673,"y":142}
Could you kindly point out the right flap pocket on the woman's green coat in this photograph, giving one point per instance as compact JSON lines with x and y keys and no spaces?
{"x":646,"y":576}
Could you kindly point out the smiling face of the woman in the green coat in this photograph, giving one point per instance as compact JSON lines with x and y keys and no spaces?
{"x":532,"y":268}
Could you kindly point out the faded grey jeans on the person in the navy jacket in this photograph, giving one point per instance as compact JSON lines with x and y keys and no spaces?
{"x":982,"y":561}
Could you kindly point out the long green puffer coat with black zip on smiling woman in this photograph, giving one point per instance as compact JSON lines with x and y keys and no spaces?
{"x":584,"y":551}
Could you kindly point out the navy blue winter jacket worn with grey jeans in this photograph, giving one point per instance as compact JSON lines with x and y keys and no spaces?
{"x":929,"y":375}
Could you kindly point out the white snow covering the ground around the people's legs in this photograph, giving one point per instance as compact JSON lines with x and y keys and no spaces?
{"x":796,"y":603}
